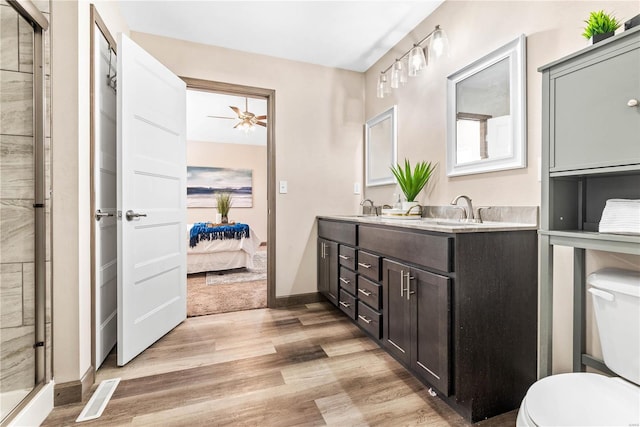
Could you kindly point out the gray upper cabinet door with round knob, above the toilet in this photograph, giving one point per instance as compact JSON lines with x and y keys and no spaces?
{"x":594,"y":127}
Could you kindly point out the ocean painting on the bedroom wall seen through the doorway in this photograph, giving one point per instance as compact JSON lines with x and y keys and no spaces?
{"x":204,"y":183}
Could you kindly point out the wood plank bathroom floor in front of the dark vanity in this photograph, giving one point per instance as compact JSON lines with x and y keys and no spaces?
{"x":302,"y":366}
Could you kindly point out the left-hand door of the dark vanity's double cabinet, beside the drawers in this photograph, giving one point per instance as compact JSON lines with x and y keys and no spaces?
{"x":396,"y":313}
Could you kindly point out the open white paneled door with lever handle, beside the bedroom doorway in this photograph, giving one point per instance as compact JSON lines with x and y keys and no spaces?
{"x":151,"y":200}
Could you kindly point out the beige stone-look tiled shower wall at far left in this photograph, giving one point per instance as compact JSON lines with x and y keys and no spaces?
{"x":17,"y":286}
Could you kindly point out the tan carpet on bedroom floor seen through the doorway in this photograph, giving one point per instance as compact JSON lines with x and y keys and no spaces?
{"x":231,"y":295}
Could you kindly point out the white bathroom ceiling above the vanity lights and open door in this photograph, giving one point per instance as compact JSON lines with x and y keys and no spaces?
{"x":344,"y":34}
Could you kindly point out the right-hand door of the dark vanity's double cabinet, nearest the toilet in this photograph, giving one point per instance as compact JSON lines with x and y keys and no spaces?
{"x":431,"y":309}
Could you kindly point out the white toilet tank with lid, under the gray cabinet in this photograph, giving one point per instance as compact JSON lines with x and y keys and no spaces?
{"x":616,"y":302}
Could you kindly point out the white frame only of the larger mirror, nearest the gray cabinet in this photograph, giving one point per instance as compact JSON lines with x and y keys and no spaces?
{"x":515,"y":51}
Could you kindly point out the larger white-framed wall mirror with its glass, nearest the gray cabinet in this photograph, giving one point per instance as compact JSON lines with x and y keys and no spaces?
{"x":486,"y":113}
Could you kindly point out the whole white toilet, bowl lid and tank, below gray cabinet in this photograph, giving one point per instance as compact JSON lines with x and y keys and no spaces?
{"x":586,"y":399}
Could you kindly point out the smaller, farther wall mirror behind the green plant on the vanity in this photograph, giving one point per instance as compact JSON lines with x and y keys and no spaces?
{"x":380,"y":135}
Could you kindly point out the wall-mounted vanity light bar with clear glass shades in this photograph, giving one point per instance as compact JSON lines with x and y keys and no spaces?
{"x":416,"y":61}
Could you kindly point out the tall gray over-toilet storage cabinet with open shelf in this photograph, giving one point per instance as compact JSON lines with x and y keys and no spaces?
{"x":590,"y":153}
